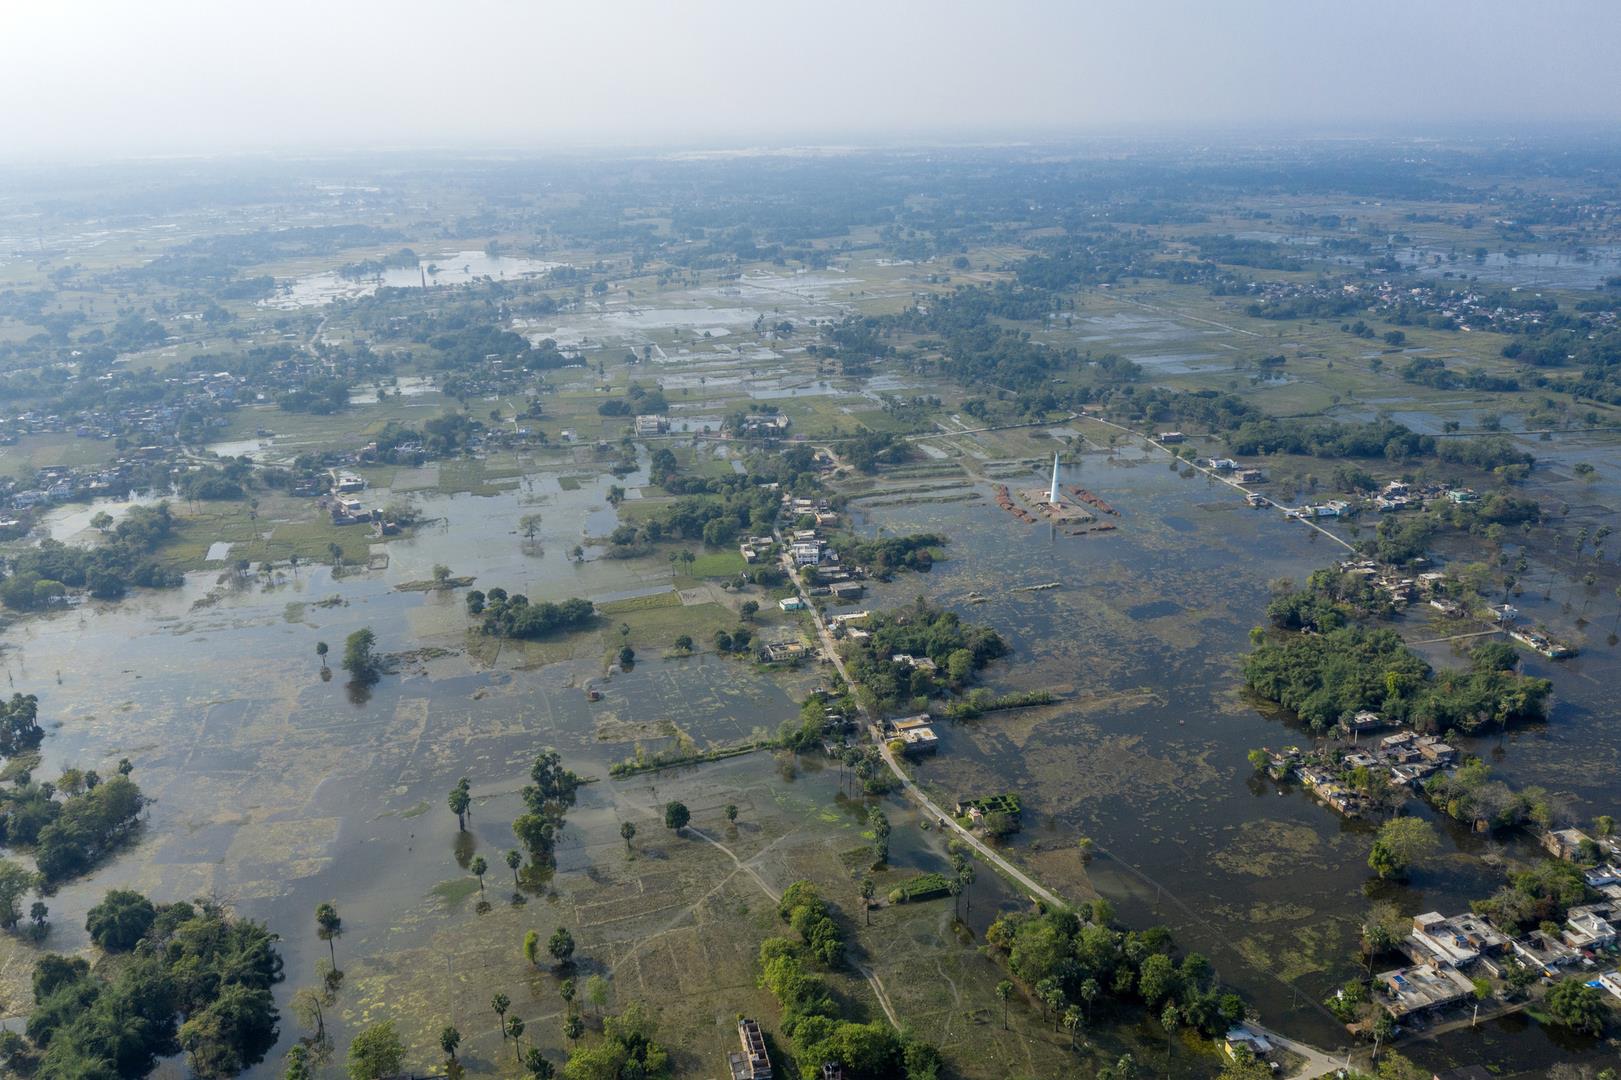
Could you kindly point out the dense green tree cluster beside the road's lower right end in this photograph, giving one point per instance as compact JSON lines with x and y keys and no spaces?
{"x":1071,"y":961}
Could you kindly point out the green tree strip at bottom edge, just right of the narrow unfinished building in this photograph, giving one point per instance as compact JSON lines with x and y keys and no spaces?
{"x":811,"y":1014}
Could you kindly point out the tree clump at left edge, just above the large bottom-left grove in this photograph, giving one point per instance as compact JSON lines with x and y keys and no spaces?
{"x":72,"y":833}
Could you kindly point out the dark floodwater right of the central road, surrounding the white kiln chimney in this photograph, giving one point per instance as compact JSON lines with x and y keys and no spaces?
{"x":1147,"y":756}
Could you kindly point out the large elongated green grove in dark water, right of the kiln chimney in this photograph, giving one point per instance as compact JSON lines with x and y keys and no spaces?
{"x":1333,"y":675}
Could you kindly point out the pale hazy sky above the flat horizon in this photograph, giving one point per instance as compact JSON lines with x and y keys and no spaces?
{"x":98,"y":79}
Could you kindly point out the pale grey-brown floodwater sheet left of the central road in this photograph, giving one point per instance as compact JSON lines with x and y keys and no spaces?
{"x":276,"y":789}
